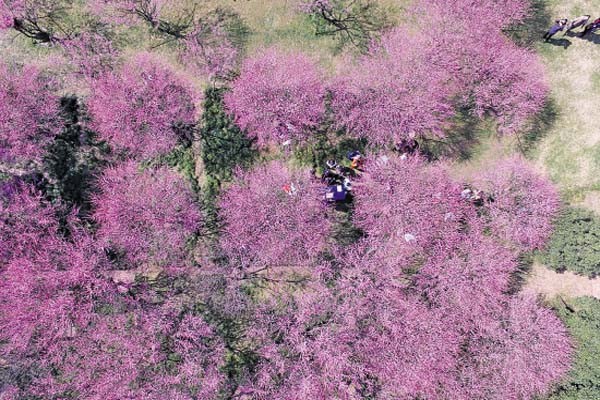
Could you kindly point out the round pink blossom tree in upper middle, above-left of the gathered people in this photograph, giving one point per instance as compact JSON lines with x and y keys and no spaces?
{"x":277,"y":97}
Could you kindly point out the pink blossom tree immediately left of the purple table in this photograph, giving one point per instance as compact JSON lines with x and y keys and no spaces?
{"x":274,"y":219}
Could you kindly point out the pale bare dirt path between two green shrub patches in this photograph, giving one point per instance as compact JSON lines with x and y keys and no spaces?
{"x":550,"y":284}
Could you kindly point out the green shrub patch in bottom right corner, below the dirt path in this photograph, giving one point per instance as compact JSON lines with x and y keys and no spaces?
{"x":582,"y":318}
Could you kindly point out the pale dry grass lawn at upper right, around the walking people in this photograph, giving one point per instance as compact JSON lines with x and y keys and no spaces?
{"x":570,"y":150}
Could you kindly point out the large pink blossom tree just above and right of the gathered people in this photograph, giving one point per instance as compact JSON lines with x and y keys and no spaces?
{"x":395,"y":91}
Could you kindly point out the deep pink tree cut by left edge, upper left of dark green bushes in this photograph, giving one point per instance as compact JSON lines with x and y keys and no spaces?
{"x":29,"y":117}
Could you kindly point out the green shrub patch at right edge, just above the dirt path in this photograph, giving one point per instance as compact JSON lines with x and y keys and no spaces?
{"x":575,"y":243}
